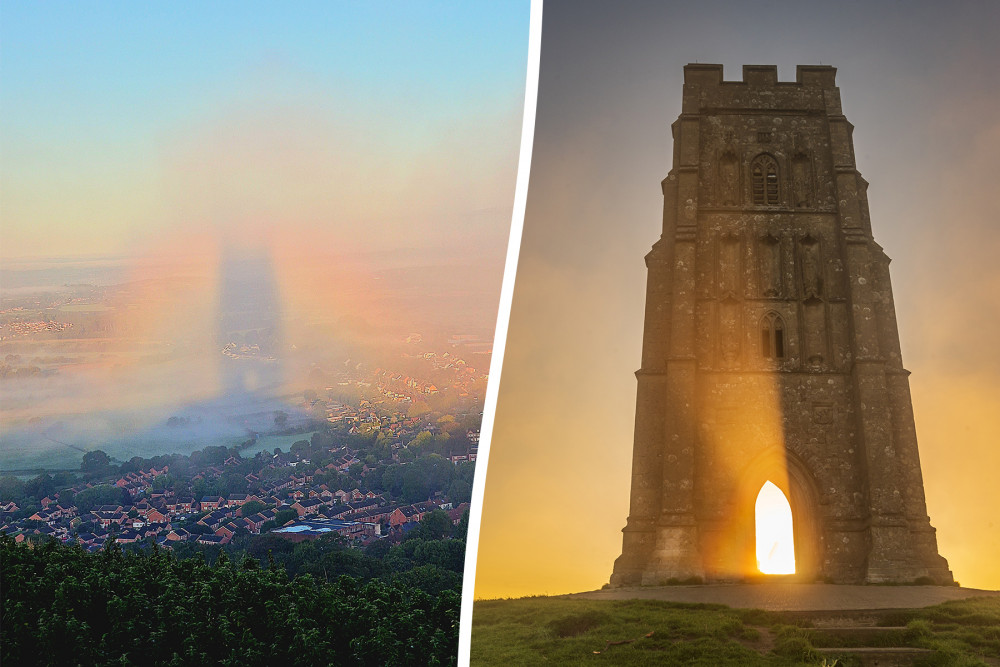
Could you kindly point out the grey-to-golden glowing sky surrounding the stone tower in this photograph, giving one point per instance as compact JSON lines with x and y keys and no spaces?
{"x":920,"y":83}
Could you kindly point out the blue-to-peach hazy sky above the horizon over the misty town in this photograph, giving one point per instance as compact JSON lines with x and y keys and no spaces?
{"x":368,"y":124}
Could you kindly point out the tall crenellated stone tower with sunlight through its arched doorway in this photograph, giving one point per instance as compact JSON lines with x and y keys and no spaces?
{"x":770,"y":350}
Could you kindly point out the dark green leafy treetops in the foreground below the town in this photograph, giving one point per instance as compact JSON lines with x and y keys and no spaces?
{"x":62,"y":606}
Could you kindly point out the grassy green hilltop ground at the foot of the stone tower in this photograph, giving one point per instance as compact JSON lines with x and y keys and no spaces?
{"x":561,"y":631}
